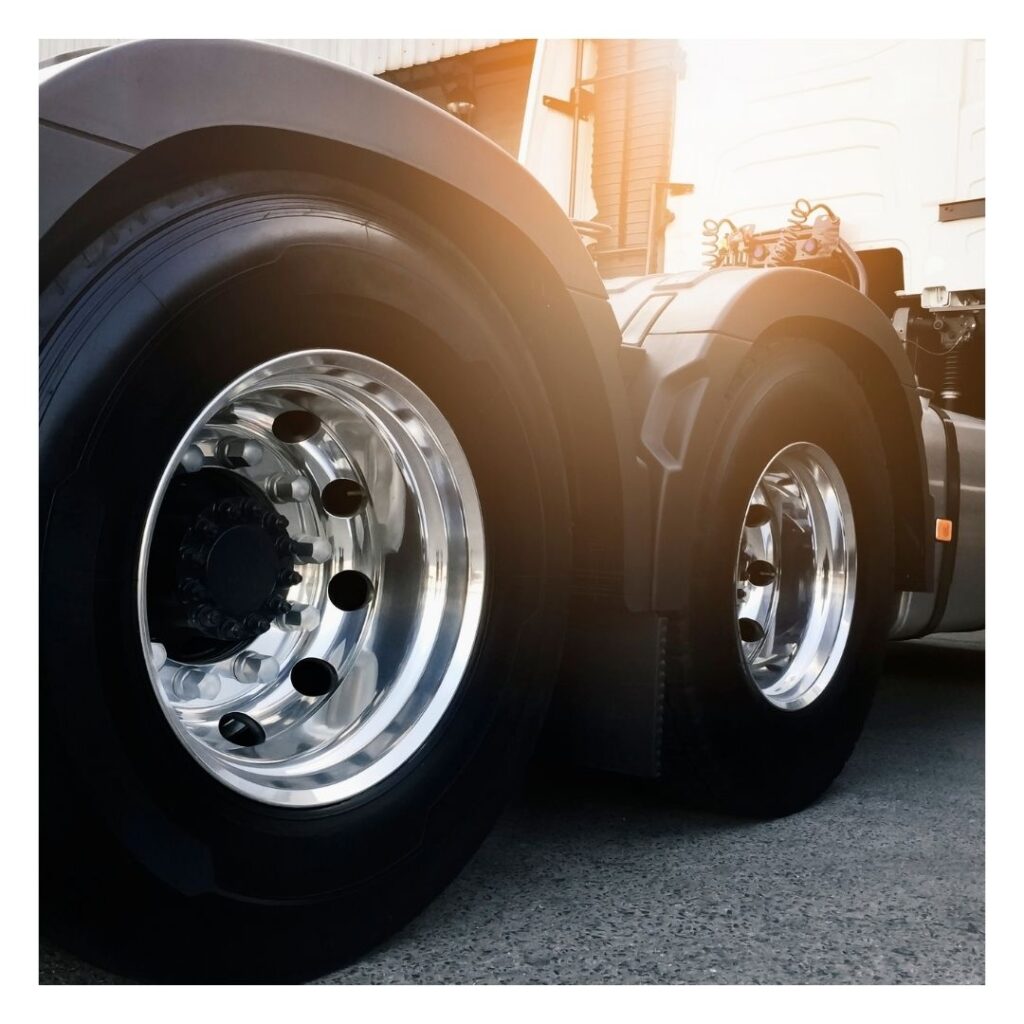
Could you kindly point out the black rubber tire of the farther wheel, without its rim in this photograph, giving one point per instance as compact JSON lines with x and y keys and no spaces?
{"x":728,"y":747}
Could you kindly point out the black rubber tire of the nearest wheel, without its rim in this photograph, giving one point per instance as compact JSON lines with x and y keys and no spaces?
{"x":151,"y":867}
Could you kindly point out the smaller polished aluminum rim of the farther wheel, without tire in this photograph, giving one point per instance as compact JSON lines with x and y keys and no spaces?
{"x":796,"y":577}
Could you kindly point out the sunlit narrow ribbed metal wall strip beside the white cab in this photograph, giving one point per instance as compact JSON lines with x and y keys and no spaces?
{"x":634,"y":115}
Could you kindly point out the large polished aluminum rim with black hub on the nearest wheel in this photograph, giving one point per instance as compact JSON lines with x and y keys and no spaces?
{"x":312,"y":578}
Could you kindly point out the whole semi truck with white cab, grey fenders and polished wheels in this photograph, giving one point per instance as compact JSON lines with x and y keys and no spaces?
{"x":375,"y":450}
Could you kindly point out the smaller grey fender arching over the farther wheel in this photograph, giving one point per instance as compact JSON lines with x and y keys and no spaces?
{"x":694,"y":354}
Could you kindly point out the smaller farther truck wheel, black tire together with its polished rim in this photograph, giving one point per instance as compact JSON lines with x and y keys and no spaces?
{"x":774,"y":667}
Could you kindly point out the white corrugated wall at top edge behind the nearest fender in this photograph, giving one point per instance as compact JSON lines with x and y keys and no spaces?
{"x":371,"y":56}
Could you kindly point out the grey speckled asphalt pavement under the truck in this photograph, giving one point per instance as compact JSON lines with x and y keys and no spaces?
{"x":593,"y":879}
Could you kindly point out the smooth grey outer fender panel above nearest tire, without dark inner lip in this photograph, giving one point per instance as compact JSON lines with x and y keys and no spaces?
{"x":136,"y":96}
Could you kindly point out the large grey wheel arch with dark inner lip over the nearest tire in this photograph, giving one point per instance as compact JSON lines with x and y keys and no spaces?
{"x":127,"y":124}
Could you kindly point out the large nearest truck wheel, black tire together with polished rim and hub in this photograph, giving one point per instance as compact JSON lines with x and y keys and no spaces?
{"x":305,"y":545}
